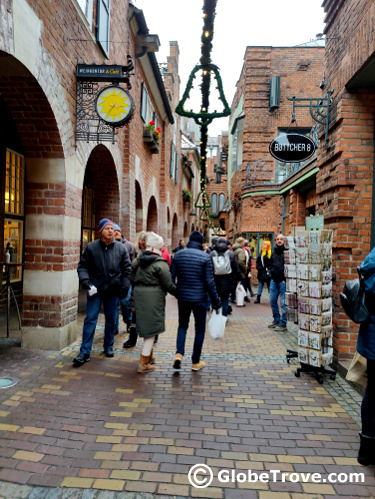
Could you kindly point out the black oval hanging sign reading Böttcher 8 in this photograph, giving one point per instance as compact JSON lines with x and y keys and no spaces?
{"x":292,"y":147}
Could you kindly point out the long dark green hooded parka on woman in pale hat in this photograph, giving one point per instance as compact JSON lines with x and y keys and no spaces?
{"x":151,"y":280}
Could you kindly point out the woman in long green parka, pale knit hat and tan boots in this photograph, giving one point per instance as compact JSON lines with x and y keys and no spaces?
{"x":151,"y":279}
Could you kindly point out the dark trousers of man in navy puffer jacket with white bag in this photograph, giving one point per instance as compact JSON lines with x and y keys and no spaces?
{"x":184,"y":311}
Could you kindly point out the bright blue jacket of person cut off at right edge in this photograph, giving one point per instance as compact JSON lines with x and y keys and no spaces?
{"x":366,"y":335}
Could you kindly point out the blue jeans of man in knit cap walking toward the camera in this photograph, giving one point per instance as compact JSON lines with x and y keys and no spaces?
{"x":94,"y":304}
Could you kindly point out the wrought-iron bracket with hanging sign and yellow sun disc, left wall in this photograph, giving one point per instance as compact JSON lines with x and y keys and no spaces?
{"x":92,"y":79}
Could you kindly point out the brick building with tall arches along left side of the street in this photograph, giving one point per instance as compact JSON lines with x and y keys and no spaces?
{"x":55,"y":188}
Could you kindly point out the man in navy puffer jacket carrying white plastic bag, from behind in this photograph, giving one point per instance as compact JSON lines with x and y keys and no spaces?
{"x":194,"y":273}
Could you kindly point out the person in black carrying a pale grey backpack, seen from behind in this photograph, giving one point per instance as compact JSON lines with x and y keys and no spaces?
{"x":226,"y":272}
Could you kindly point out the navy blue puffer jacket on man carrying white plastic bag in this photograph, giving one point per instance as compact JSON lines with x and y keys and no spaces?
{"x":195,"y":275}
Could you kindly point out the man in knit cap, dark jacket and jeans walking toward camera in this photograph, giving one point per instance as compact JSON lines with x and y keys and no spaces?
{"x":103,"y":270}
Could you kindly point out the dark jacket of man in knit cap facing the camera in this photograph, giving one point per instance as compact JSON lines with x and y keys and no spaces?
{"x":105,"y":266}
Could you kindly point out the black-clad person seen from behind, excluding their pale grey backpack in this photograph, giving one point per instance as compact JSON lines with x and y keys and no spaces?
{"x":225,"y":283}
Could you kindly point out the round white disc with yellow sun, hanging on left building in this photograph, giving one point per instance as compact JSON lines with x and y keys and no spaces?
{"x":114,"y":105}
